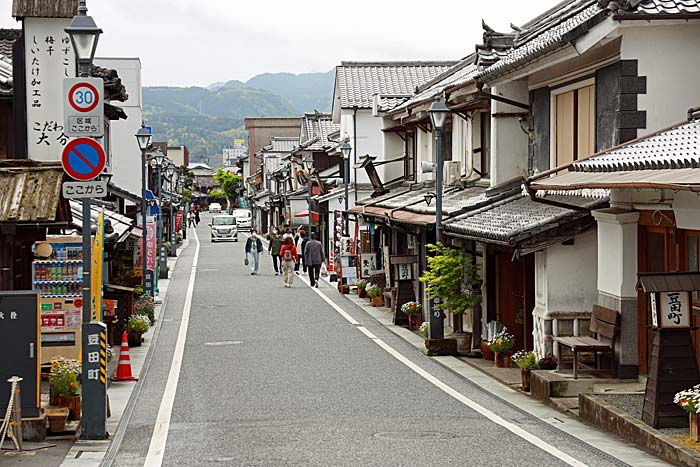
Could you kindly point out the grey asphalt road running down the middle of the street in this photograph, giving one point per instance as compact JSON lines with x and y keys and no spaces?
{"x":273,"y":376}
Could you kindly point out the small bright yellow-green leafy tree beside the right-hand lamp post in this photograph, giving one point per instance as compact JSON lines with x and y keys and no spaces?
{"x":453,"y":278}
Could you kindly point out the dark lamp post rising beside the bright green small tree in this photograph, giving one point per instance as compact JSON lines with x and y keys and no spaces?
{"x":438,"y":114}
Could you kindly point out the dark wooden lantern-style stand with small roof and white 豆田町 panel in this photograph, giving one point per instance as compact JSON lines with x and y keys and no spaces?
{"x":673,"y":366}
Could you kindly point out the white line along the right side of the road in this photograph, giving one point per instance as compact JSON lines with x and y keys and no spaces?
{"x":532,"y":439}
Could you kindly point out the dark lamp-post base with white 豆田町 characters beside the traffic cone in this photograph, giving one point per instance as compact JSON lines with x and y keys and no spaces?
{"x":94,"y":379}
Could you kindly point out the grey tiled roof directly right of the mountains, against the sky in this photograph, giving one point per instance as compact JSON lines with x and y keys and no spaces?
{"x":357,"y":82}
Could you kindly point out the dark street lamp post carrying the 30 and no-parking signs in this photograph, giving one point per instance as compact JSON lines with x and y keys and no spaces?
{"x":84,"y":35}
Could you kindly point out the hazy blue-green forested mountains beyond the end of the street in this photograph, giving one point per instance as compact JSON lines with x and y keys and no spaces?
{"x":206,"y":120}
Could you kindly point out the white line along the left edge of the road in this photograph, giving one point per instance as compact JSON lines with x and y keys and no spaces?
{"x":156,"y":449}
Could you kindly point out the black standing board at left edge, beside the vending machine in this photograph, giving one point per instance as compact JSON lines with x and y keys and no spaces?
{"x":20,"y":336}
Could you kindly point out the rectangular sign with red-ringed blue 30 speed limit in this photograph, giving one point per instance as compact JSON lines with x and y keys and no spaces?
{"x":83,"y":107}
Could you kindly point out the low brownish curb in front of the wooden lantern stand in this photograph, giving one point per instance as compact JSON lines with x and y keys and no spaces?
{"x":613,"y":420}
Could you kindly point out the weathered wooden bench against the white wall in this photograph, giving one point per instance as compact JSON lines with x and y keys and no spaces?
{"x":604,"y":327}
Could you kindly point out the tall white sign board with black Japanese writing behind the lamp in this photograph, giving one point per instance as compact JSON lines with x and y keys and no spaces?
{"x":49,"y":56}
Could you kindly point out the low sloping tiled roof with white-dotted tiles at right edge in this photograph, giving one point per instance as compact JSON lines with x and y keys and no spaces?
{"x":675,"y":148}
